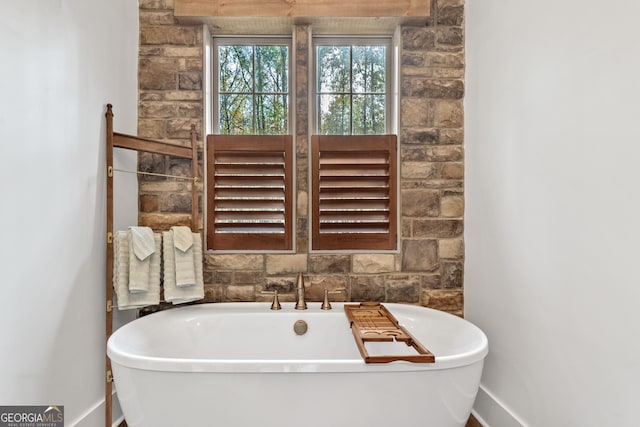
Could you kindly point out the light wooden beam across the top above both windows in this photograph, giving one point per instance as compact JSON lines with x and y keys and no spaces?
{"x":302,"y":8}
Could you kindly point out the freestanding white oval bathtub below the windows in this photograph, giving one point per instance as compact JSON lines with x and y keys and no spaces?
{"x":242,"y":365}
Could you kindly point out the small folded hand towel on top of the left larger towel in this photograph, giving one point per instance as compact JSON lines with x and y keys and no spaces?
{"x":141,"y":246}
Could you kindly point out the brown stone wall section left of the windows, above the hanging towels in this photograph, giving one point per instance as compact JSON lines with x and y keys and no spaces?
{"x":170,"y":81}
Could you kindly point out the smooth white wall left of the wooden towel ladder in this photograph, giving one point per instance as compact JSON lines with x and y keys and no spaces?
{"x":62,"y":61}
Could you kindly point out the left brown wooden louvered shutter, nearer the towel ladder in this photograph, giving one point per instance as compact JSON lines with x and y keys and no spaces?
{"x":249,"y":181}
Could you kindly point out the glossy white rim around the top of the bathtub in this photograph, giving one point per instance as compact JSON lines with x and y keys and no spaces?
{"x":124,"y":358}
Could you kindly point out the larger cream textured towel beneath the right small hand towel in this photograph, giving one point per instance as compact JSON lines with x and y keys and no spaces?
{"x":173,"y":293}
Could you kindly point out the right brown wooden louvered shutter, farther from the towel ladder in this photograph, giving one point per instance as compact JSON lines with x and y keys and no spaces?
{"x":354,"y":201}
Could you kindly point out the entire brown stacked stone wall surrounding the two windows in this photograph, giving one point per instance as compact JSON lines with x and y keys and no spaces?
{"x":429,"y":267}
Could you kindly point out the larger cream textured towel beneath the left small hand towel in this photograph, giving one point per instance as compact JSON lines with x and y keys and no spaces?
{"x":125,"y":299}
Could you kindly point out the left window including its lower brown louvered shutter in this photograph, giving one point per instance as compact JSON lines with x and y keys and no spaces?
{"x":250,"y":158}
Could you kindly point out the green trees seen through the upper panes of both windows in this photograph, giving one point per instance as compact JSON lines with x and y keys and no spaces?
{"x":253,"y":88}
